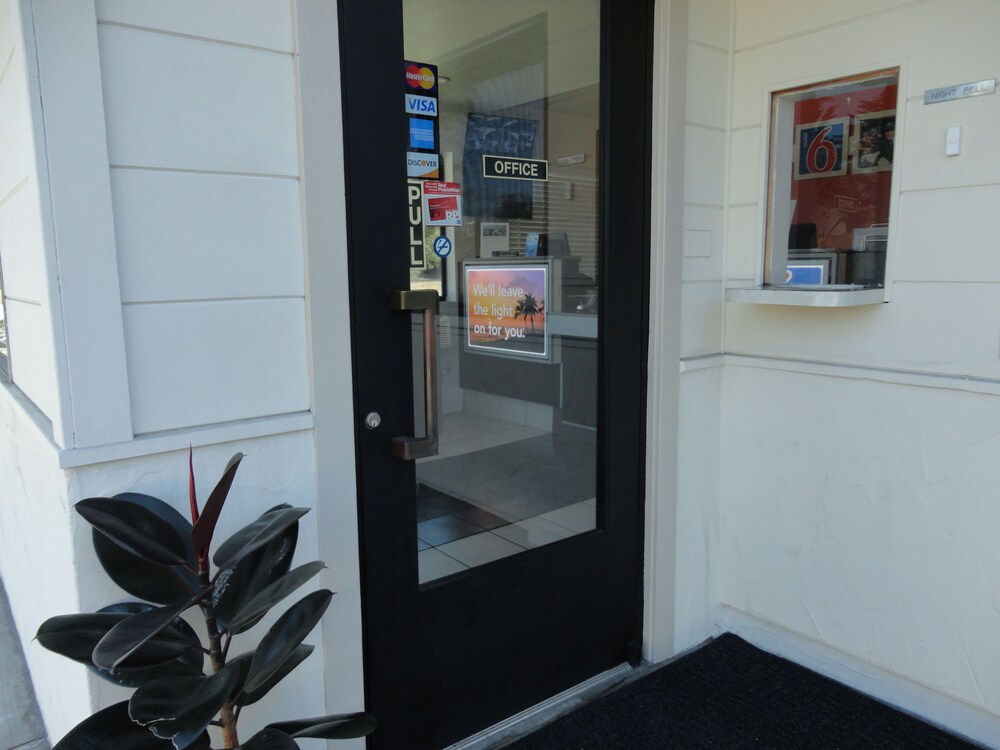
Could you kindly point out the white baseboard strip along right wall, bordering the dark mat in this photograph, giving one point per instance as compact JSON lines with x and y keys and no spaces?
{"x":930,"y":705}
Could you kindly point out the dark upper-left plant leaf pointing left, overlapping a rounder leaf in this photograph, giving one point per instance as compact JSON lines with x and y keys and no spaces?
{"x":140,"y":530}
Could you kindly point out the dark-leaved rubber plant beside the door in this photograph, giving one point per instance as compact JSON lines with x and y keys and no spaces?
{"x":154,"y":553}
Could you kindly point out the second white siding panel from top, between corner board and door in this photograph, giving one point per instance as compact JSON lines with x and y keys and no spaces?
{"x":185,"y":104}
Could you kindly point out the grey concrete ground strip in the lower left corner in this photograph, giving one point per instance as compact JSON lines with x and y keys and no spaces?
{"x":21,"y":726}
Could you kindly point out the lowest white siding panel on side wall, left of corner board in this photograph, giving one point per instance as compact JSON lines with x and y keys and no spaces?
{"x":31,"y":354}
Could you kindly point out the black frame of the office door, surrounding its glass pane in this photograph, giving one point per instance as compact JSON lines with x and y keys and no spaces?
{"x":393,"y":604}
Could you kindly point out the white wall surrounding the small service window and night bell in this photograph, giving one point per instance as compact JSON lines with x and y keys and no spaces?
{"x":859,"y":472}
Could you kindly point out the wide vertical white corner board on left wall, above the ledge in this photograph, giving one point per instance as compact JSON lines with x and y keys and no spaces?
{"x":78,"y":224}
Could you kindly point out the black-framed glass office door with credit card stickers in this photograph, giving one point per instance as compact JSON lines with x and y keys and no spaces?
{"x":499,"y":305}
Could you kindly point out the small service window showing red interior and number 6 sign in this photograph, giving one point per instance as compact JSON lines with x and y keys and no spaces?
{"x":830,"y":178}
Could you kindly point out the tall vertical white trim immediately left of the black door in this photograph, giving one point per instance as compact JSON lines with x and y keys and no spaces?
{"x":316,"y":32}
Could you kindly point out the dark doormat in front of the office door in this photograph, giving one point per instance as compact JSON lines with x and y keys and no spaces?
{"x":731,"y":695}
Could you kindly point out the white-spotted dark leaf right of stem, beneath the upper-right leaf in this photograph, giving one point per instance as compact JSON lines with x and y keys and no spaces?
{"x":254,"y":572}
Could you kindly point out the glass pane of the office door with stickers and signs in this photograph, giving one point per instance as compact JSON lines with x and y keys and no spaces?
{"x":516,"y":85}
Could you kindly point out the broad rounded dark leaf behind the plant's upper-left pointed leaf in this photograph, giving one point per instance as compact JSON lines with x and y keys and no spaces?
{"x":144,"y":579}
